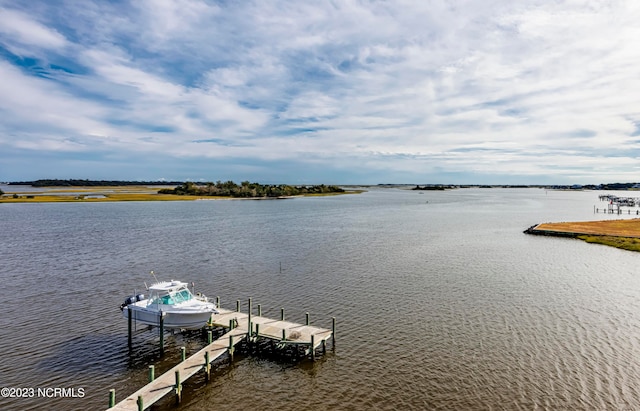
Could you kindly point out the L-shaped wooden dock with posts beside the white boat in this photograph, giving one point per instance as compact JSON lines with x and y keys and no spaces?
{"x":241,"y":326}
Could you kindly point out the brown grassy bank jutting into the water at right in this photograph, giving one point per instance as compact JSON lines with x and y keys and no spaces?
{"x":623,"y":234}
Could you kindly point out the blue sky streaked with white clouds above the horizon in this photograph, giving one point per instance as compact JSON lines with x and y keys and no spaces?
{"x":311,"y":92}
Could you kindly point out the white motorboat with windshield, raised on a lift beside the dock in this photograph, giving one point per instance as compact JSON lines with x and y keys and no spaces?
{"x":173,"y":300}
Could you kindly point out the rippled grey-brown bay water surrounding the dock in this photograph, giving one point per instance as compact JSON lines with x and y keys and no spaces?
{"x":441,"y":301}
